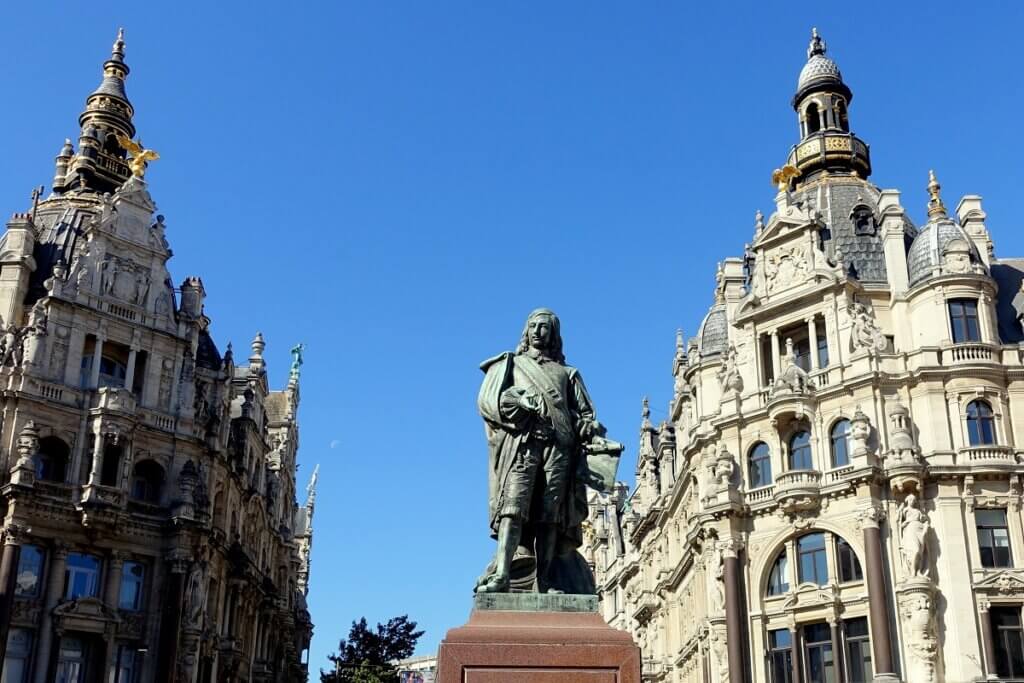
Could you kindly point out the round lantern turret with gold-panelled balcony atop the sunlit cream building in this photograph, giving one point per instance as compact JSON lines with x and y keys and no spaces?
{"x":823,"y":104}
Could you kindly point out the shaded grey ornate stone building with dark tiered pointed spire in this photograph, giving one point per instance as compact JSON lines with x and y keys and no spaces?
{"x":151,"y":528}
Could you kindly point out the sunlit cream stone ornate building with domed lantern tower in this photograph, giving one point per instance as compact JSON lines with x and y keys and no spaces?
{"x":837,"y":493}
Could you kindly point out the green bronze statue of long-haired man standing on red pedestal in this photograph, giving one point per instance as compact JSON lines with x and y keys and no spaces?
{"x":546,"y":447}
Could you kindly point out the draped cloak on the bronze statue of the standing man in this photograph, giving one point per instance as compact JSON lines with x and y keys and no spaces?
{"x":567,"y":405}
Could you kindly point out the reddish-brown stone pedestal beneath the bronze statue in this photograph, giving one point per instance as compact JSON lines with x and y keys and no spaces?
{"x":531,"y":638}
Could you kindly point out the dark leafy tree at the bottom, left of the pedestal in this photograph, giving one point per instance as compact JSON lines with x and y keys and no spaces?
{"x":368,"y":656}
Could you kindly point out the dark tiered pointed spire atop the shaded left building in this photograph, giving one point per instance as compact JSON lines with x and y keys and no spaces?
{"x":100,"y":165}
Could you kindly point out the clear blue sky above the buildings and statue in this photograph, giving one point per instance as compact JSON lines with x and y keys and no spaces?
{"x":399,"y":184}
